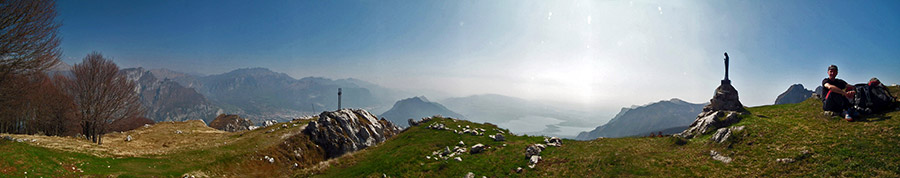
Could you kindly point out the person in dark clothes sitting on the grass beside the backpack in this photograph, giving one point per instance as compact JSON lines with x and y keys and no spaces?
{"x":838,"y":95}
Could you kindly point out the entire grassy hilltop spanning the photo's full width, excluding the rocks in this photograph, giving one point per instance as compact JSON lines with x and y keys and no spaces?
{"x":821,"y":146}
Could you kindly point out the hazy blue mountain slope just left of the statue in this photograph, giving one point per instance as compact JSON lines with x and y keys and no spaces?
{"x":654,"y":117}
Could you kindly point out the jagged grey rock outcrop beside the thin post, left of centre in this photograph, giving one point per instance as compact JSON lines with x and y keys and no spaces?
{"x":347,"y":130}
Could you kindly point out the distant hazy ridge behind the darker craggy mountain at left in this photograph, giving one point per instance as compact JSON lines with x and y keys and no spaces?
{"x":261,"y":94}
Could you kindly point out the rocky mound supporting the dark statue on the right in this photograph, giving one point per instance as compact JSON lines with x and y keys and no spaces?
{"x":723,"y":110}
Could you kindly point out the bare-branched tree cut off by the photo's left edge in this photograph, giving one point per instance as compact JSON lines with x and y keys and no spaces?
{"x":28,"y":45}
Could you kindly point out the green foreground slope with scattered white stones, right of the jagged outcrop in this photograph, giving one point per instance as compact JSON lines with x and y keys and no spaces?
{"x":822,"y":146}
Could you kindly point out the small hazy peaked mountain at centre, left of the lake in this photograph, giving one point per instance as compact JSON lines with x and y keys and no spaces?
{"x":416,"y":108}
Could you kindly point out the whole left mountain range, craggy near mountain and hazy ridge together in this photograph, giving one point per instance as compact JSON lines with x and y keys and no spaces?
{"x":255,"y":93}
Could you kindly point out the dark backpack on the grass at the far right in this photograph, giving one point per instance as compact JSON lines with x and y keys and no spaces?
{"x":872,"y":97}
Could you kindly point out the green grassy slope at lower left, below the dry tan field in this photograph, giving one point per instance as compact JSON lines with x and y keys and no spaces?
{"x":240,"y":156}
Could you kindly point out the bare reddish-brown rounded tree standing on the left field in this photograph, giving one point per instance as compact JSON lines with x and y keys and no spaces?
{"x":101,"y":95}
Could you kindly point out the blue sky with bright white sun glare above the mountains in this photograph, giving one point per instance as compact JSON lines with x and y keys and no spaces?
{"x":587,"y":55}
